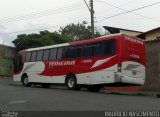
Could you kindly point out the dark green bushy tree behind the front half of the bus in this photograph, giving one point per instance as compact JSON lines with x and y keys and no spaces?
{"x":44,"y":38}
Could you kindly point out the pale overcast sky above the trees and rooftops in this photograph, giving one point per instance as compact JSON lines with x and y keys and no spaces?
{"x":31,"y":16}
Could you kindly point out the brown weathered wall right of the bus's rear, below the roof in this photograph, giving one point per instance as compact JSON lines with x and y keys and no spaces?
{"x":153,"y":66}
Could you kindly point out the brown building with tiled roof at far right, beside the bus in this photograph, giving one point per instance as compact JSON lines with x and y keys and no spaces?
{"x":152,"y":38}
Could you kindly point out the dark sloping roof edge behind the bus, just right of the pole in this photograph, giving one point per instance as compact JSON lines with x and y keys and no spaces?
{"x":117,"y":30}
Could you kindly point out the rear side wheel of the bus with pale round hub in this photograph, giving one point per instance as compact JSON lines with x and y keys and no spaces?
{"x":71,"y":83}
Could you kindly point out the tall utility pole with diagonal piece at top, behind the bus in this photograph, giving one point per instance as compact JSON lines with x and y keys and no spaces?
{"x":90,"y":8}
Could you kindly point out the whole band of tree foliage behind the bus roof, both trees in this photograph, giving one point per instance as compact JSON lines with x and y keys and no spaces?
{"x":71,"y":32}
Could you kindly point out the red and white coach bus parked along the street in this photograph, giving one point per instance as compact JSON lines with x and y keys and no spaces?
{"x":112,"y":59}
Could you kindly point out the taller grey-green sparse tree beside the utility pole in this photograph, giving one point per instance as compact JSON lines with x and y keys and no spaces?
{"x":78,"y":31}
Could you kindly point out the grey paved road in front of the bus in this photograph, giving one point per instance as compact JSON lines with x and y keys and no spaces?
{"x":19,"y":98}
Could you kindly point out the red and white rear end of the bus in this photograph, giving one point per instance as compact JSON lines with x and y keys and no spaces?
{"x":132,"y":60}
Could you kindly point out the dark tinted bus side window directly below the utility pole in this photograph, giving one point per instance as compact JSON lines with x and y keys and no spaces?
{"x":87,"y":50}
